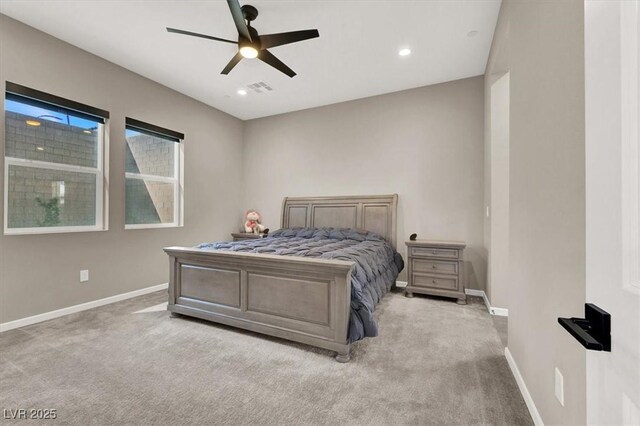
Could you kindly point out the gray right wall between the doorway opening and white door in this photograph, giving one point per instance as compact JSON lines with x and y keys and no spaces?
{"x":541,"y":44}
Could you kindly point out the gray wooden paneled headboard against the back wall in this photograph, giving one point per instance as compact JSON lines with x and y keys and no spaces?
{"x":376,"y":213}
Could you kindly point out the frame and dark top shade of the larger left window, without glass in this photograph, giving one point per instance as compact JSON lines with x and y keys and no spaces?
{"x":100,"y":171}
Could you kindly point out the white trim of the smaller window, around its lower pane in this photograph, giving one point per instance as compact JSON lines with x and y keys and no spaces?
{"x":178,"y":196}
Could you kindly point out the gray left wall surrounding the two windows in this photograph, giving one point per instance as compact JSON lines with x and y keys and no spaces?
{"x":40,"y":273}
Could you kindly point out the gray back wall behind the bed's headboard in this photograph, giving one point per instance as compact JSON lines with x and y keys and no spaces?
{"x":424,"y":144}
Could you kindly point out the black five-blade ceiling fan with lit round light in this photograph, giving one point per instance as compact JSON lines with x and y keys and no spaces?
{"x":250,"y":44}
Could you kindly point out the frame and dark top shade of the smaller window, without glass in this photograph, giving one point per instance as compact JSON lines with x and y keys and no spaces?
{"x":178,"y":173}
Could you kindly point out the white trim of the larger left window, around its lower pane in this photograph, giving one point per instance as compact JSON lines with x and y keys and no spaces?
{"x":101,"y":196}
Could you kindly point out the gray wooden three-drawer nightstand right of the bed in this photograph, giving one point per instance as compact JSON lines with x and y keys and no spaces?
{"x":436,"y":268}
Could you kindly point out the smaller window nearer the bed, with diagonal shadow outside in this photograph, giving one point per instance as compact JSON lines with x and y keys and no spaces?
{"x":153,"y":179}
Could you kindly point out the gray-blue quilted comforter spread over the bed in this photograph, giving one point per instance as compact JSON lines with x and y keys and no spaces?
{"x":376,"y":268}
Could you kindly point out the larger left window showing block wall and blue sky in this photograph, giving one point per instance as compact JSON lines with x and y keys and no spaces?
{"x":54,"y":164}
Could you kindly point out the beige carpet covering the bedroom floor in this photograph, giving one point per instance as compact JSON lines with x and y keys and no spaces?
{"x":435,"y":362}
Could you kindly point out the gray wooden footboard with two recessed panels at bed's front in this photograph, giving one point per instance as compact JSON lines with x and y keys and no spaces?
{"x":295,"y":298}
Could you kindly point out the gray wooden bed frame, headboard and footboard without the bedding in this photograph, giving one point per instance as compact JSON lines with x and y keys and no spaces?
{"x":306,"y":300}
